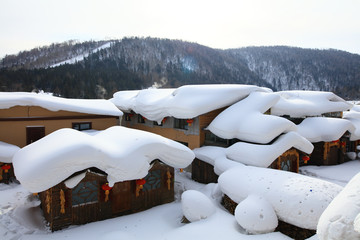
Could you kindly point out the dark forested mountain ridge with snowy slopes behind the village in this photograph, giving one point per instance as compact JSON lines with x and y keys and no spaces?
{"x":97,"y":69}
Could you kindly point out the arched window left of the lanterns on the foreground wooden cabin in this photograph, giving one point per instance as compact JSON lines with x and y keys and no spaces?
{"x":85,"y":193}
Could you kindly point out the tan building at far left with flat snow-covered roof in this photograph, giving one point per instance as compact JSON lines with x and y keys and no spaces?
{"x":26,"y":117}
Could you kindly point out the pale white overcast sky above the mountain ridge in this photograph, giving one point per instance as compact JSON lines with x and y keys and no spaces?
{"x":323,"y":24}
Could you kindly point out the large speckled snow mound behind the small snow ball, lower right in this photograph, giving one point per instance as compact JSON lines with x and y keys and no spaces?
{"x":296,"y":199}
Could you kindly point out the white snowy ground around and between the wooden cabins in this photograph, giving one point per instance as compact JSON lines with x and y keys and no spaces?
{"x":20,"y":218}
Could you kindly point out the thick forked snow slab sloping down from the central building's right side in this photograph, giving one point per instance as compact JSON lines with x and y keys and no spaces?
{"x":245,"y":120}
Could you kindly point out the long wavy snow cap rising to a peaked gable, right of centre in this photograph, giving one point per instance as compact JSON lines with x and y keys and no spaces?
{"x":252,"y":154}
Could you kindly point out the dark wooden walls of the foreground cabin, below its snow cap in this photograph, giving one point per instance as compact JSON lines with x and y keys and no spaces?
{"x":92,"y":199}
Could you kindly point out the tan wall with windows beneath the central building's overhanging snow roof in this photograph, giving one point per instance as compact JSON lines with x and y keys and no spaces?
{"x":190,"y":132}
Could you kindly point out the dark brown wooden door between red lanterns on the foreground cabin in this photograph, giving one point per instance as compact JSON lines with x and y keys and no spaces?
{"x":121,"y":197}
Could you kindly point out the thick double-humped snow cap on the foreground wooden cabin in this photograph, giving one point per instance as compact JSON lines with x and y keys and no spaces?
{"x":124,"y":154}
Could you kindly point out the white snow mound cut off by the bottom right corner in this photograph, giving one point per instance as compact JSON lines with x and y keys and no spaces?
{"x":337,"y":221}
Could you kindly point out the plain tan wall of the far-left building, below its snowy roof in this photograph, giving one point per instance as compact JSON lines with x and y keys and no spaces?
{"x":13,"y":131}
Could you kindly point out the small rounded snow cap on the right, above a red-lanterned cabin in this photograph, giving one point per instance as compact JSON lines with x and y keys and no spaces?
{"x":323,"y":129}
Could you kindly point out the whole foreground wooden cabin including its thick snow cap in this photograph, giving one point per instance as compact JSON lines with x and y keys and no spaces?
{"x":101,"y":175}
